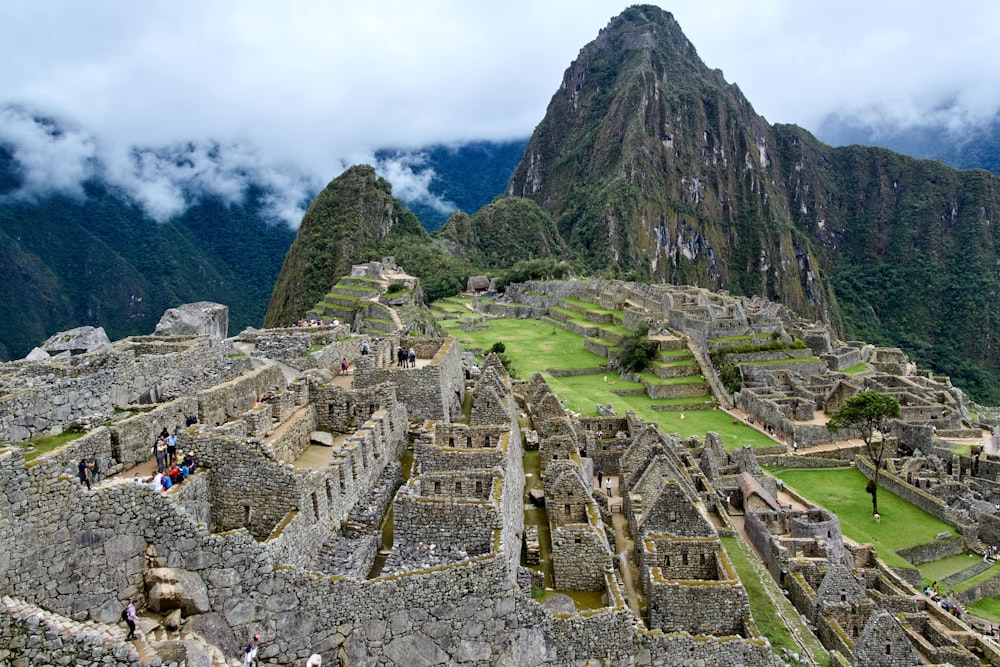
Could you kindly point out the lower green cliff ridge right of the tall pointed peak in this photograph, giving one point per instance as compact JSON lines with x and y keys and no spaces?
{"x":911,"y":248}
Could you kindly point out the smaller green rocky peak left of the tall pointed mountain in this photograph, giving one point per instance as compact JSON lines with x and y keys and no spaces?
{"x":352,"y":215}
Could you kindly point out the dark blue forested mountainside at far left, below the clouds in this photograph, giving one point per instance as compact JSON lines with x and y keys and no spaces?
{"x":100,"y":260}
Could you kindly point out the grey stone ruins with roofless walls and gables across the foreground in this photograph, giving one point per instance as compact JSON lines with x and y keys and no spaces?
{"x":408,"y":543}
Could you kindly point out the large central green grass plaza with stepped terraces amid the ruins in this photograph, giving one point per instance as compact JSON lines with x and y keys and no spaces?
{"x":543,"y":346}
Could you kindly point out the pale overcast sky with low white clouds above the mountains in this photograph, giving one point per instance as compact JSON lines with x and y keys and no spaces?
{"x":317,"y":86}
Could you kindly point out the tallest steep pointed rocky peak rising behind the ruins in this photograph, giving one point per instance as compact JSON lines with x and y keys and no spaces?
{"x":651,"y":162}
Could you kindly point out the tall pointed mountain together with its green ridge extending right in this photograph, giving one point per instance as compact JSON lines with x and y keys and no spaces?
{"x":654,"y":168}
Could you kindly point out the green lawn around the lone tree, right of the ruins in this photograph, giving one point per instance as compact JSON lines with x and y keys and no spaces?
{"x":842,"y":491}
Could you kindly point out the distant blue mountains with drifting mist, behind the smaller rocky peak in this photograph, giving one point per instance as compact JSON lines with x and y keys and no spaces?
{"x":92,"y":234}
